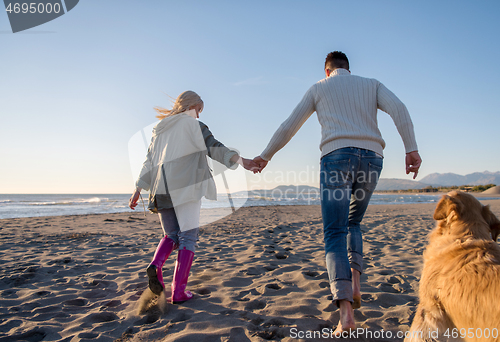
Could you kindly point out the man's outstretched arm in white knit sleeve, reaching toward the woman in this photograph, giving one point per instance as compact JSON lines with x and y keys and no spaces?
{"x":290,"y":126}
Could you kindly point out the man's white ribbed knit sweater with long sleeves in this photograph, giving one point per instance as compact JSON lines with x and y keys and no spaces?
{"x":346,"y":106}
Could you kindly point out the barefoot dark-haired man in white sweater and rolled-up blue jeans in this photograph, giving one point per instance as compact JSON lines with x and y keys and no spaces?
{"x":351,"y":162}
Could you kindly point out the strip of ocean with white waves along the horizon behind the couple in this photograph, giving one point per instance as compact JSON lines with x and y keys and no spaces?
{"x":12,"y":206}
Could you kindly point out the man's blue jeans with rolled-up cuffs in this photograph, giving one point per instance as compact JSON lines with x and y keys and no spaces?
{"x":348,"y":178}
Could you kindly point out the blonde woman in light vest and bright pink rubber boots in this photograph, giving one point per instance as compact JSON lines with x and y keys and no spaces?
{"x":177,"y":175}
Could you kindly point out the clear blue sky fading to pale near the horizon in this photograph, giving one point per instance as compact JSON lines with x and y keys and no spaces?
{"x":75,"y":90}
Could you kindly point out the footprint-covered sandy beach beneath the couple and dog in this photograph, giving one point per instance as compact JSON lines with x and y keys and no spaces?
{"x":258,"y":275}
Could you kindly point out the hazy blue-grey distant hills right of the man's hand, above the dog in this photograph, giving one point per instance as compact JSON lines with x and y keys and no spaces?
{"x":453,"y":179}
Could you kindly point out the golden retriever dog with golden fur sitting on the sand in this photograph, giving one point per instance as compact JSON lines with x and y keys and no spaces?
{"x":460,"y":284}
